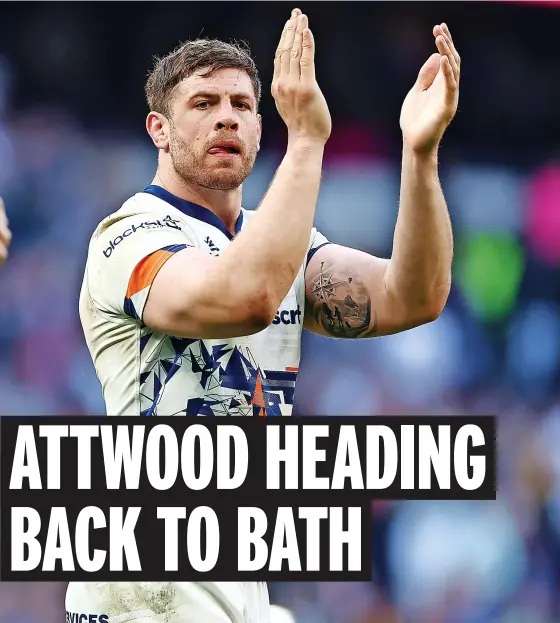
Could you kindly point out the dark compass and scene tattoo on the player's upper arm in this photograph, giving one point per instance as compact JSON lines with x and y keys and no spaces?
{"x":342,"y":307}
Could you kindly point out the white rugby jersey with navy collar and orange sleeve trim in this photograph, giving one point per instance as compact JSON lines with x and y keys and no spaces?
{"x":143,"y":372}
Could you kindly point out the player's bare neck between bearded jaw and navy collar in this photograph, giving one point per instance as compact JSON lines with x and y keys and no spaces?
{"x":225,"y":204}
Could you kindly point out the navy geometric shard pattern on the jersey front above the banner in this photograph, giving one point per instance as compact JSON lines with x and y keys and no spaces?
{"x":229,"y":381}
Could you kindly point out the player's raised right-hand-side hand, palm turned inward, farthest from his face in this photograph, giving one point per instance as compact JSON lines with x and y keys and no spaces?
{"x":432,"y":102}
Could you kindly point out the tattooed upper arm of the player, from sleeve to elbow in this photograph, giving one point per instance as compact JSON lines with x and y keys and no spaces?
{"x":345,"y":295}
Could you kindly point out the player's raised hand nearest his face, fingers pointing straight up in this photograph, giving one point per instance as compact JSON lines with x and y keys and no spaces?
{"x":298,"y":98}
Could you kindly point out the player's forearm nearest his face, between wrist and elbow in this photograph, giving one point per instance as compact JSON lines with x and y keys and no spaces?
{"x":268,"y":253}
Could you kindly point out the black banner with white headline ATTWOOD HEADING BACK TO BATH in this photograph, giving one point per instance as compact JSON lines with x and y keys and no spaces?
{"x":221,"y":499}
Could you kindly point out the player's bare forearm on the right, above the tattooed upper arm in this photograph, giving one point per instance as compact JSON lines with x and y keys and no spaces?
{"x":418,"y":275}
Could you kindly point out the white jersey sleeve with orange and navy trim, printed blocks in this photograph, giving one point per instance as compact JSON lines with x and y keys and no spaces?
{"x":125,"y":258}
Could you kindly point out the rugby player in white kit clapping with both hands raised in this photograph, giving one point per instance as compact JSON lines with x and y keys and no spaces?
{"x":192,"y":305}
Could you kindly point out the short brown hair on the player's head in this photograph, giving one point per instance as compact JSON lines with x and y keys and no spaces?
{"x":190,"y":57}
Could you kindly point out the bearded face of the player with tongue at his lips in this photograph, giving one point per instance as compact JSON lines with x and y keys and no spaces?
{"x":215,"y":130}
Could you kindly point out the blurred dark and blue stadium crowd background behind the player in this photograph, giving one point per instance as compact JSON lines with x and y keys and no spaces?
{"x":73,"y":148}
